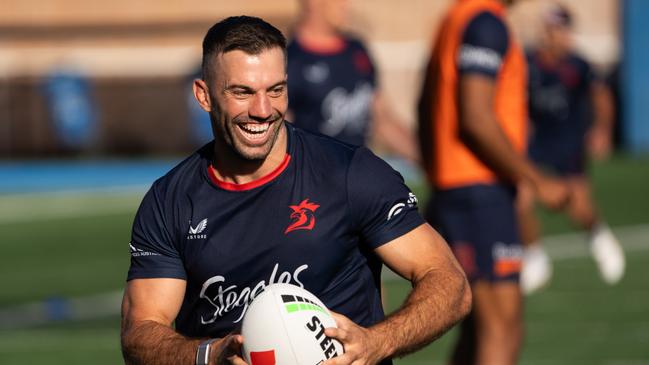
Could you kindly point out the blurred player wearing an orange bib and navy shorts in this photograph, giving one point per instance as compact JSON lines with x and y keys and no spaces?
{"x":473,"y":118}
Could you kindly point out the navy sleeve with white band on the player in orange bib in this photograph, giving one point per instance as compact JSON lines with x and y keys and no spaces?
{"x":484,"y":44}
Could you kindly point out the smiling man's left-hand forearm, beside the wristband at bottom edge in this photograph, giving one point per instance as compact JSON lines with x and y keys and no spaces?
{"x":149,"y":342}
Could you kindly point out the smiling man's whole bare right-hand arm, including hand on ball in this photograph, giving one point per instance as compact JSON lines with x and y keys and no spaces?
{"x":440,"y":297}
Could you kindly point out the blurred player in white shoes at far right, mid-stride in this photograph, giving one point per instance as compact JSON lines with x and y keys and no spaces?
{"x":571,"y":112}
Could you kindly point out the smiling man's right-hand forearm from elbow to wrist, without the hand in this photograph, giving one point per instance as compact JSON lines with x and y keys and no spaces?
{"x":438,"y":300}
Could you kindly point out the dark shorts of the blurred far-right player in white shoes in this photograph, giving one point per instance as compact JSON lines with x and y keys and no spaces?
{"x":564,"y":158}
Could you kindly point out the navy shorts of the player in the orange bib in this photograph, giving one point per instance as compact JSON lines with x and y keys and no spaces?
{"x":479,"y":223}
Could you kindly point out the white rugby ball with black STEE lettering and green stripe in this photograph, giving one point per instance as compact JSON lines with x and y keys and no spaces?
{"x":284,"y":325}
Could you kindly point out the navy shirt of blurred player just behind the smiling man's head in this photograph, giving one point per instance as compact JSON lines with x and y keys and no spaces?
{"x":332,"y":92}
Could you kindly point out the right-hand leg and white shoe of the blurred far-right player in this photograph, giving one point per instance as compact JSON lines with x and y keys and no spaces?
{"x":604,"y":246}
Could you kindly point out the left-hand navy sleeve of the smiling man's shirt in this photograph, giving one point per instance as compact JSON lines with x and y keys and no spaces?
{"x":153,"y":254}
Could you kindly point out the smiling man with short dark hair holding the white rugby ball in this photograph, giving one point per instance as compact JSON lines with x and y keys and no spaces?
{"x":267,"y":202}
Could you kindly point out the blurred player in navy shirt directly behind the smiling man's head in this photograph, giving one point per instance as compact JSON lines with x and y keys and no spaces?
{"x":334,"y":83}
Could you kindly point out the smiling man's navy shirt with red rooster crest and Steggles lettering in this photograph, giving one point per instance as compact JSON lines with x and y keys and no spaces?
{"x":313,"y":222}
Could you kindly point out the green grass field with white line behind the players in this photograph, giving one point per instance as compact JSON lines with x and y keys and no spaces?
{"x":76,"y":245}
